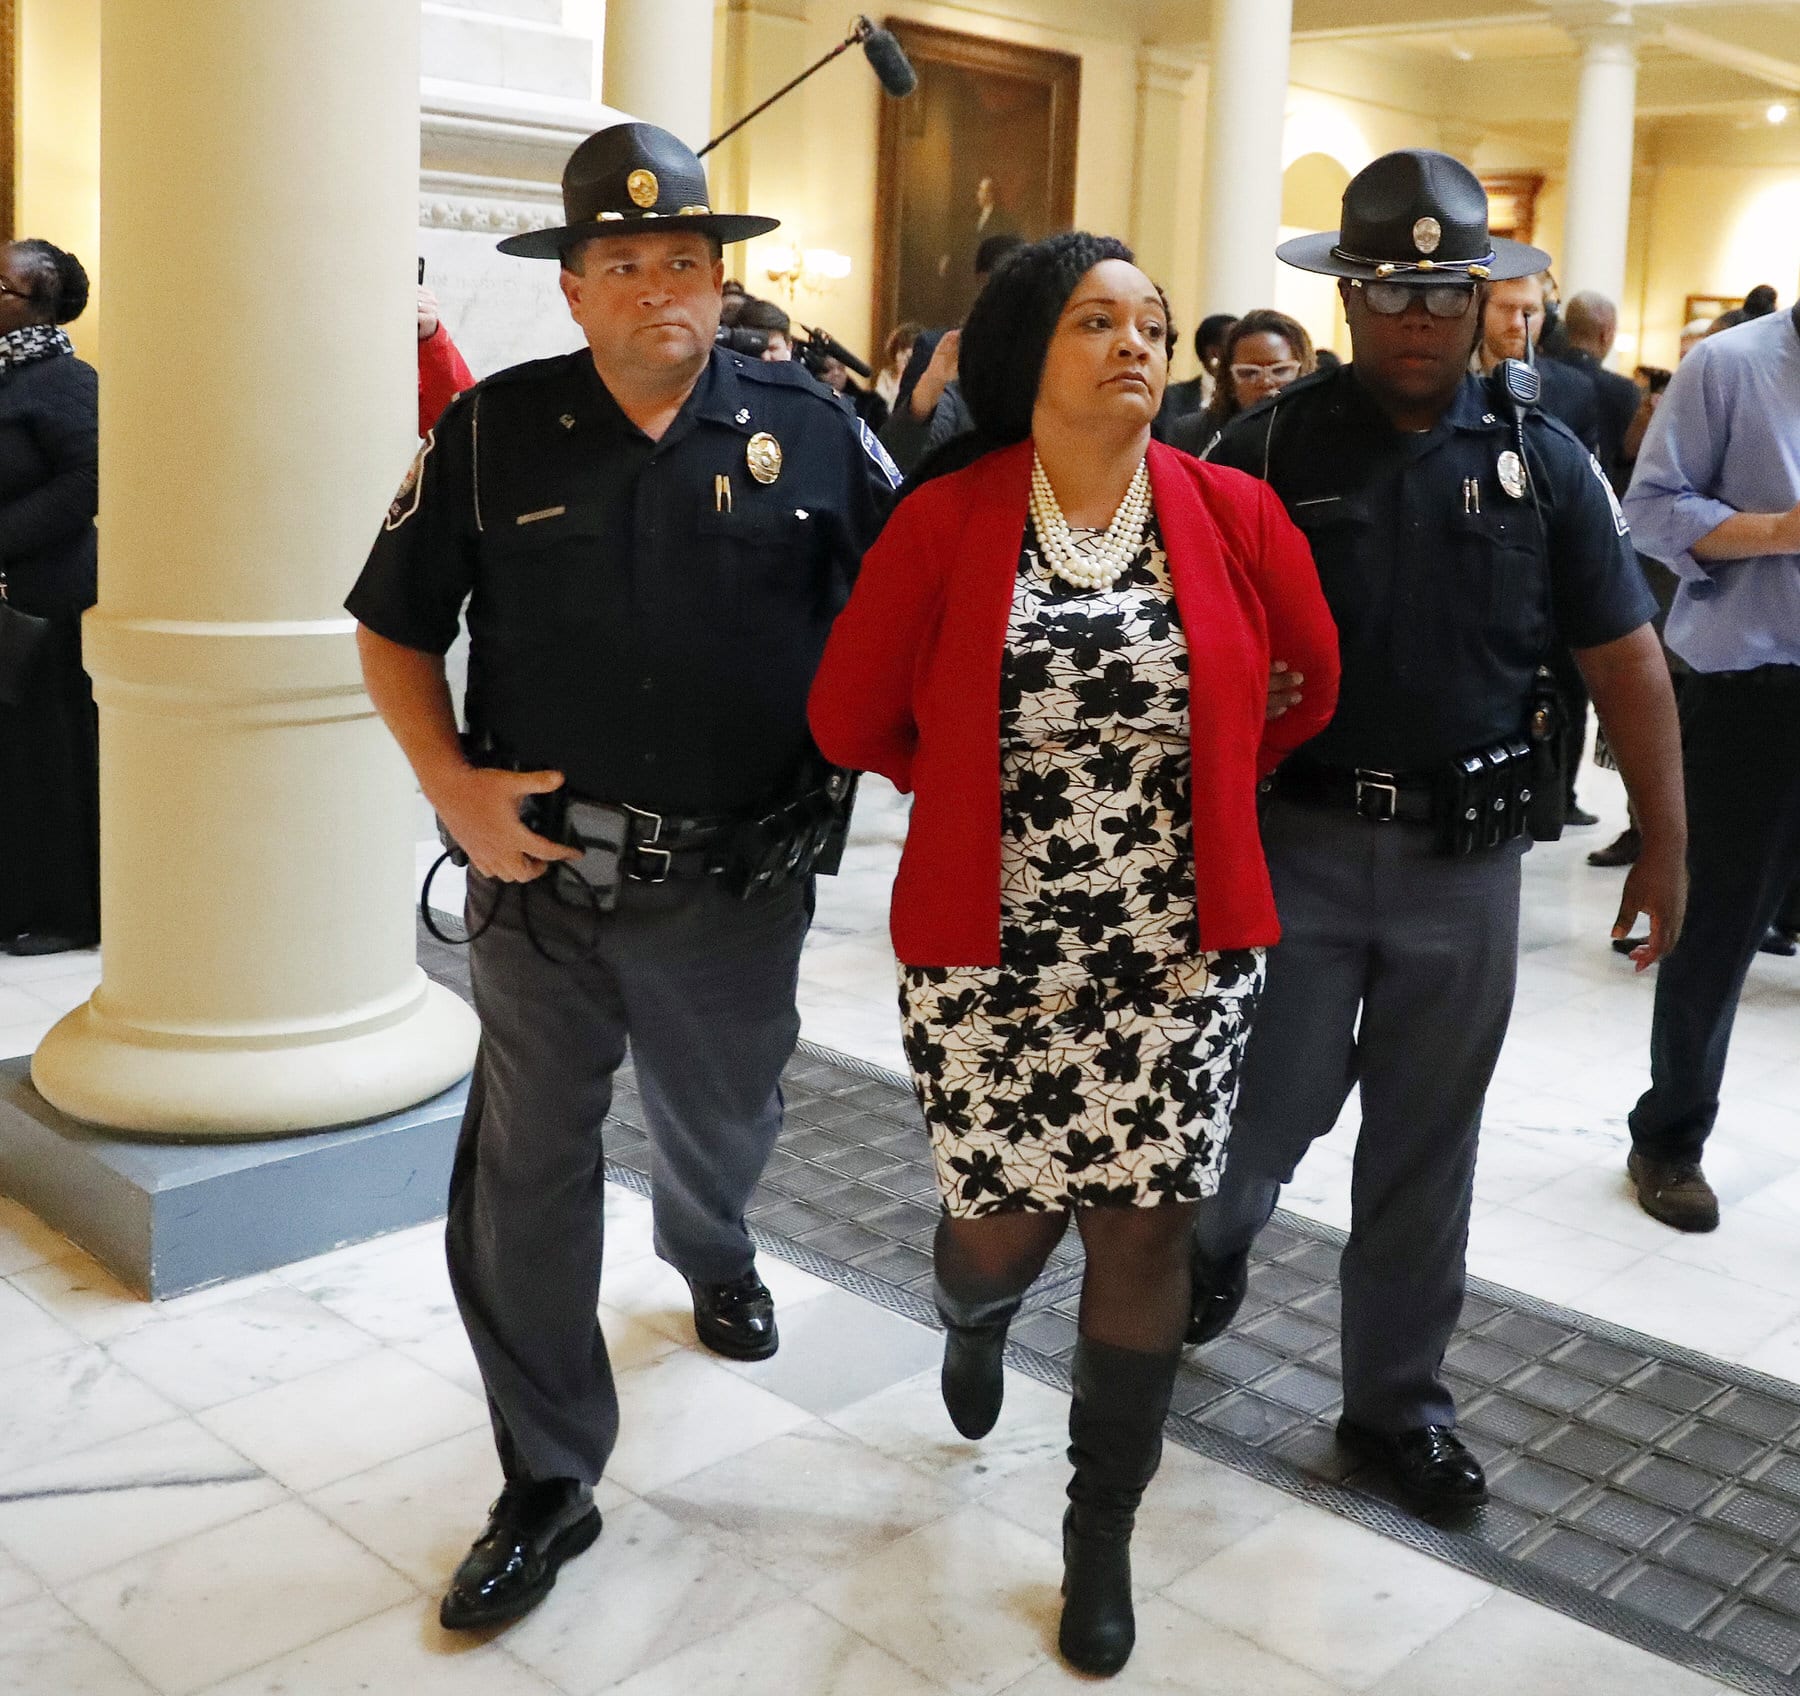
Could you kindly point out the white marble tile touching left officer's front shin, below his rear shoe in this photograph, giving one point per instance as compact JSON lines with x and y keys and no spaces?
{"x":685,"y":1412}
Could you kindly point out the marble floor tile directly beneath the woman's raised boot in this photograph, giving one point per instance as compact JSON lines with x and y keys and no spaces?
{"x":908,"y":1423}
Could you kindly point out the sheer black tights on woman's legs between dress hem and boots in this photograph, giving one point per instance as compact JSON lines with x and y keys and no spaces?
{"x":1137,"y":1288}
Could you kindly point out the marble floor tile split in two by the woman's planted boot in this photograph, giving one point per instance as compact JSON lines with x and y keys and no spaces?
{"x":1191,"y":1513}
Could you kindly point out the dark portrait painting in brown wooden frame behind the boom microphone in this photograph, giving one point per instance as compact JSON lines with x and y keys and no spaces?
{"x":985,"y":149}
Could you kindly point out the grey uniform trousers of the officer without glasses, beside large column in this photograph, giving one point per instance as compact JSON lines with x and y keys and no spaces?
{"x":701,"y":988}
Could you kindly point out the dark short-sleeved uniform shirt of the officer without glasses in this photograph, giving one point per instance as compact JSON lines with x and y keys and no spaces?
{"x":645,"y":617}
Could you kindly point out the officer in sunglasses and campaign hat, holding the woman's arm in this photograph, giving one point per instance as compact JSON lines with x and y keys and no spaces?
{"x":1459,"y":532}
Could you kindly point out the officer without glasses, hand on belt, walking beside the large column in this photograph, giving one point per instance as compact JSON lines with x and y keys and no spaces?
{"x":652,"y":537}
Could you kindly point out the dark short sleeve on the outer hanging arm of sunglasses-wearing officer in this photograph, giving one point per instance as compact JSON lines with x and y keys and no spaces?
{"x":1597,"y":590}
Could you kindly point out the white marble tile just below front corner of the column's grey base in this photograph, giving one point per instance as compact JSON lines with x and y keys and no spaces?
{"x":240,"y":1348}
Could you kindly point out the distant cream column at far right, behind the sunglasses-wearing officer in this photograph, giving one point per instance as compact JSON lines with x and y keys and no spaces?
{"x":1603,"y":143}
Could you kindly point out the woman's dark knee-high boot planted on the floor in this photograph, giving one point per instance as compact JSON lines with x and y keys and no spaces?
{"x":1115,"y":1445}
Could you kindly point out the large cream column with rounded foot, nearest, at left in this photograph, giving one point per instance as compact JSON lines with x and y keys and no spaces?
{"x":260,"y":221}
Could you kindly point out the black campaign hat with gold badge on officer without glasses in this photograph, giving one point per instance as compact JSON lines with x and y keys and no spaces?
{"x":631,"y":179}
